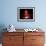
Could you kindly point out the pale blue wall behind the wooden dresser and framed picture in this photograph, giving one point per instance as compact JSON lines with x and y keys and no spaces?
{"x":9,"y":13}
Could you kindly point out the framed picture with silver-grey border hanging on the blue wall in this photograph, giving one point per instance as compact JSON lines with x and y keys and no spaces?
{"x":26,"y":14}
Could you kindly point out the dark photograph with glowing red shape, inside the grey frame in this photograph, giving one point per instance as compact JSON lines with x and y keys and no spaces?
{"x":26,"y":13}
